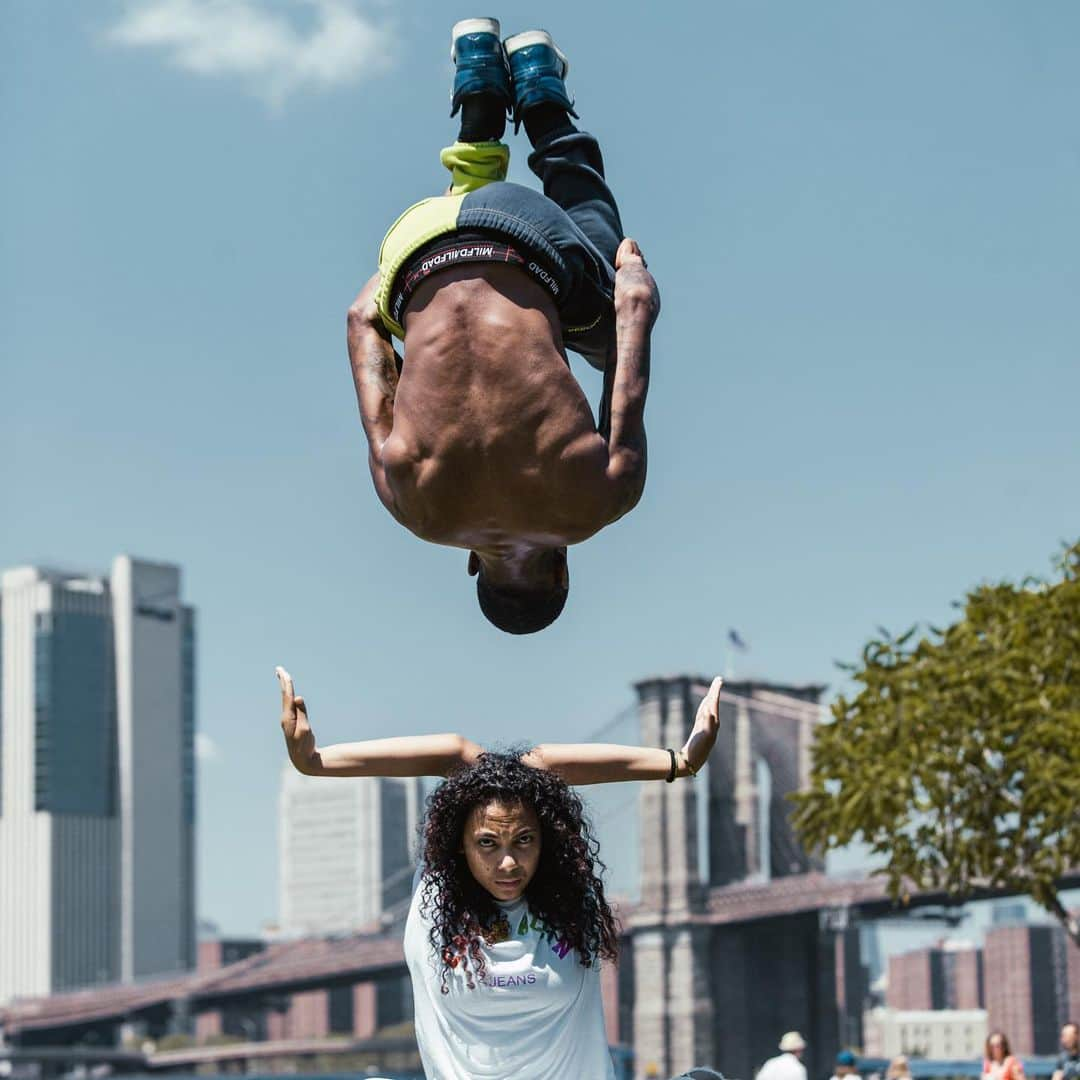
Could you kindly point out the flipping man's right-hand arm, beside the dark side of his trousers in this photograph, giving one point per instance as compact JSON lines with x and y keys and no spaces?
{"x":627,"y":381}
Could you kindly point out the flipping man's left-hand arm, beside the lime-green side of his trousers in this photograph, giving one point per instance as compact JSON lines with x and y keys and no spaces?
{"x":375,"y":367}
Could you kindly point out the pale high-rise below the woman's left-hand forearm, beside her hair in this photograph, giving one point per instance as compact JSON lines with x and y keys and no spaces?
{"x":346,"y":850}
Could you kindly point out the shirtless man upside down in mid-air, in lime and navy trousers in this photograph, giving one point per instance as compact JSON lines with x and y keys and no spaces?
{"x":482,"y":438}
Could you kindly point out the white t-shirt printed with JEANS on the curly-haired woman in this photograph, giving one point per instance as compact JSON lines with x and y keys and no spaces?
{"x":537,"y":1016}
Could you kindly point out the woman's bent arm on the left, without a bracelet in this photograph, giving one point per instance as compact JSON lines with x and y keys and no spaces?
{"x":401,"y":757}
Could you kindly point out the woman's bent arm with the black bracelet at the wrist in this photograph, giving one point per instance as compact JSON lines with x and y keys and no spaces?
{"x":605,"y":763}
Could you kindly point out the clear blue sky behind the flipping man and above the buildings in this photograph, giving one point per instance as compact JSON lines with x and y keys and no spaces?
{"x":863,"y":221}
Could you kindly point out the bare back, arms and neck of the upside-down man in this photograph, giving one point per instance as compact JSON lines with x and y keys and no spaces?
{"x":487,"y":441}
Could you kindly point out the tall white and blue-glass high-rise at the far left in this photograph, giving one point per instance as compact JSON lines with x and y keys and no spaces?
{"x":97,"y":777}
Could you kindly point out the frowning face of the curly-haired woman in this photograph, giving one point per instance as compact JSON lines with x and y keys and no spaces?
{"x":502,"y":845}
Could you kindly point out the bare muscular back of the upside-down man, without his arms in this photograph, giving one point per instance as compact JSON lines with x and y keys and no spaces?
{"x":494,"y":442}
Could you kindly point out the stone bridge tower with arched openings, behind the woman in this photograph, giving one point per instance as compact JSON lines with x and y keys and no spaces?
{"x":691,"y":979}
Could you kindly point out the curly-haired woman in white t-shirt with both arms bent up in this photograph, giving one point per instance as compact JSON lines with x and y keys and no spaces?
{"x":509,"y":921}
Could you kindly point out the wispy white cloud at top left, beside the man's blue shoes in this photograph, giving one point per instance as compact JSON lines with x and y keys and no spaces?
{"x":275,"y":49}
